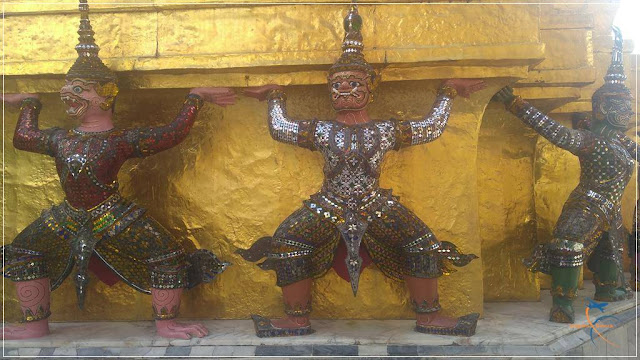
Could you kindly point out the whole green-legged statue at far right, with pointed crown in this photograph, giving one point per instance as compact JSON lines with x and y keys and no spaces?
{"x":590,"y":225}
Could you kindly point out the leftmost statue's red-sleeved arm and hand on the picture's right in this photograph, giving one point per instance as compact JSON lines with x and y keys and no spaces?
{"x":152,"y":140}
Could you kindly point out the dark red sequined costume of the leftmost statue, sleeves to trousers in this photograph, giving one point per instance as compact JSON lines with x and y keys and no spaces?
{"x":95,"y":219}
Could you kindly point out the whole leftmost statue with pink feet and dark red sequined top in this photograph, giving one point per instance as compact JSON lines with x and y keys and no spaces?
{"x":95,"y":227}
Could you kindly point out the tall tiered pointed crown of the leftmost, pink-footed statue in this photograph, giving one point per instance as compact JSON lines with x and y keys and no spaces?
{"x":88,"y":65}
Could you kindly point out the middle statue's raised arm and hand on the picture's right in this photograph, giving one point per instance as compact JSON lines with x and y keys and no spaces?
{"x":417,"y":132}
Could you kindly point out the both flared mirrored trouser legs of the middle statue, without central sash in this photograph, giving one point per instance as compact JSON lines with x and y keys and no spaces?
{"x":398,"y":242}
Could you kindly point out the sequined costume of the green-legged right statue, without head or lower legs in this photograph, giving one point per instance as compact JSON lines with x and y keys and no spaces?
{"x":594,"y":205}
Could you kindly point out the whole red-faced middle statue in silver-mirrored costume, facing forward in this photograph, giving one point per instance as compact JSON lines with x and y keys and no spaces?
{"x":351,"y":211}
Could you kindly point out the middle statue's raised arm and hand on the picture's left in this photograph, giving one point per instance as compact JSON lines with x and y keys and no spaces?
{"x":281,"y":126}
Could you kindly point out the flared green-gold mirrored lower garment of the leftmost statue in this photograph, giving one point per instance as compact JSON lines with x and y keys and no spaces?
{"x":131,"y":243}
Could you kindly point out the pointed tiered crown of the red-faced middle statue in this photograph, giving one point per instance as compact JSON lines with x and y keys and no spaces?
{"x":352,"y":57}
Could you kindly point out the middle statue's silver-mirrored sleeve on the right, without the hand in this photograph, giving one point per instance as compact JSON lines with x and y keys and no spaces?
{"x":432,"y":126}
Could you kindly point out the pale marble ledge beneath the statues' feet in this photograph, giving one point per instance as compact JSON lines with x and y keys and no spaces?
{"x":508,"y":328}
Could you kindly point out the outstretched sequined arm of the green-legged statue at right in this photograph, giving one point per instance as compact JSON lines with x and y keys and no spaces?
{"x":574,"y":141}
